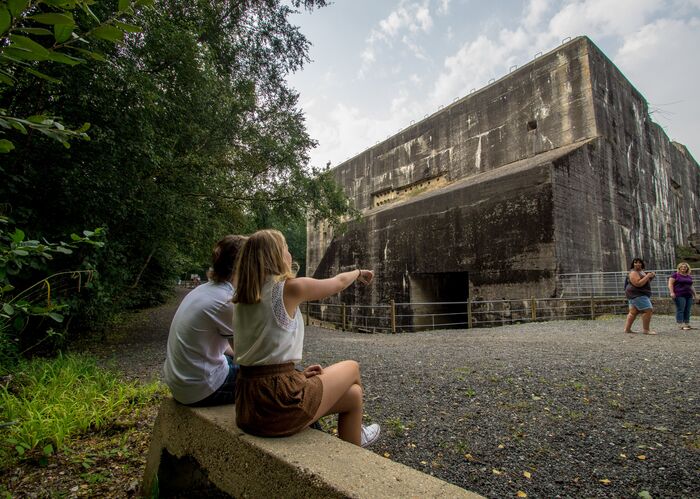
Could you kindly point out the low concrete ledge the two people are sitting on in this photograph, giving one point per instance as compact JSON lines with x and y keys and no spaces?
{"x":202,"y":451}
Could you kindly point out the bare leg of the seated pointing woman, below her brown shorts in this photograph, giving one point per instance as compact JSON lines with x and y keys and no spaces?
{"x":342,"y":394}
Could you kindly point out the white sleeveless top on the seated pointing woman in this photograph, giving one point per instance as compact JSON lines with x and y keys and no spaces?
{"x":265,"y":333}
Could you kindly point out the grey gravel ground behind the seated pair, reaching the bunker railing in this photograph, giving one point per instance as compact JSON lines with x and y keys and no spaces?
{"x":555,"y":409}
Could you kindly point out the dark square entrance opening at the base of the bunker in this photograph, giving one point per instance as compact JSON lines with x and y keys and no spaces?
{"x":439,"y":300}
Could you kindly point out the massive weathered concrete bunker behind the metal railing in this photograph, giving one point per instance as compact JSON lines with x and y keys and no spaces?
{"x":555,"y":168}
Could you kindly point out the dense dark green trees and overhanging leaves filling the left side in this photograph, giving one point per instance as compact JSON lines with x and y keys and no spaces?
{"x":193,"y":133}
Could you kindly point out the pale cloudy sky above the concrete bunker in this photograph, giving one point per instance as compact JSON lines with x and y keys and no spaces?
{"x":380,"y":65}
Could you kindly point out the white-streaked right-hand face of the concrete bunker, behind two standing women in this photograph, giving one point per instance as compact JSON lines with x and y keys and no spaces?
{"x":631,"y":192}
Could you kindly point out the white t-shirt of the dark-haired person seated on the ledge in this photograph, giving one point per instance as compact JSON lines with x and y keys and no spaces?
{"x":195,"y":365}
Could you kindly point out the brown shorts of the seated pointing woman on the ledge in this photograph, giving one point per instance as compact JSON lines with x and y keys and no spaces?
{"x":276,"y":400}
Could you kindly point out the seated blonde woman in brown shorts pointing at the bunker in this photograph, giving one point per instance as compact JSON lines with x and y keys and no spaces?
{"x":272,"y":399}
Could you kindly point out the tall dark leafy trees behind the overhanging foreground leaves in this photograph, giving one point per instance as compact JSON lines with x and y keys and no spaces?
{"x":194,"y":134}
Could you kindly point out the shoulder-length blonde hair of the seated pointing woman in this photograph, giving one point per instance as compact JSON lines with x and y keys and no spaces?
{"x":262,"y":256}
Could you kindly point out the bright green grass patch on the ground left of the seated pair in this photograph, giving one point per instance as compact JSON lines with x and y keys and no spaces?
{"x":48,"y":401}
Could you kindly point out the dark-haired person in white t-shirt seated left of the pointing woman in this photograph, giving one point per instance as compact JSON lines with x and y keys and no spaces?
{"x":199,"y":367}
